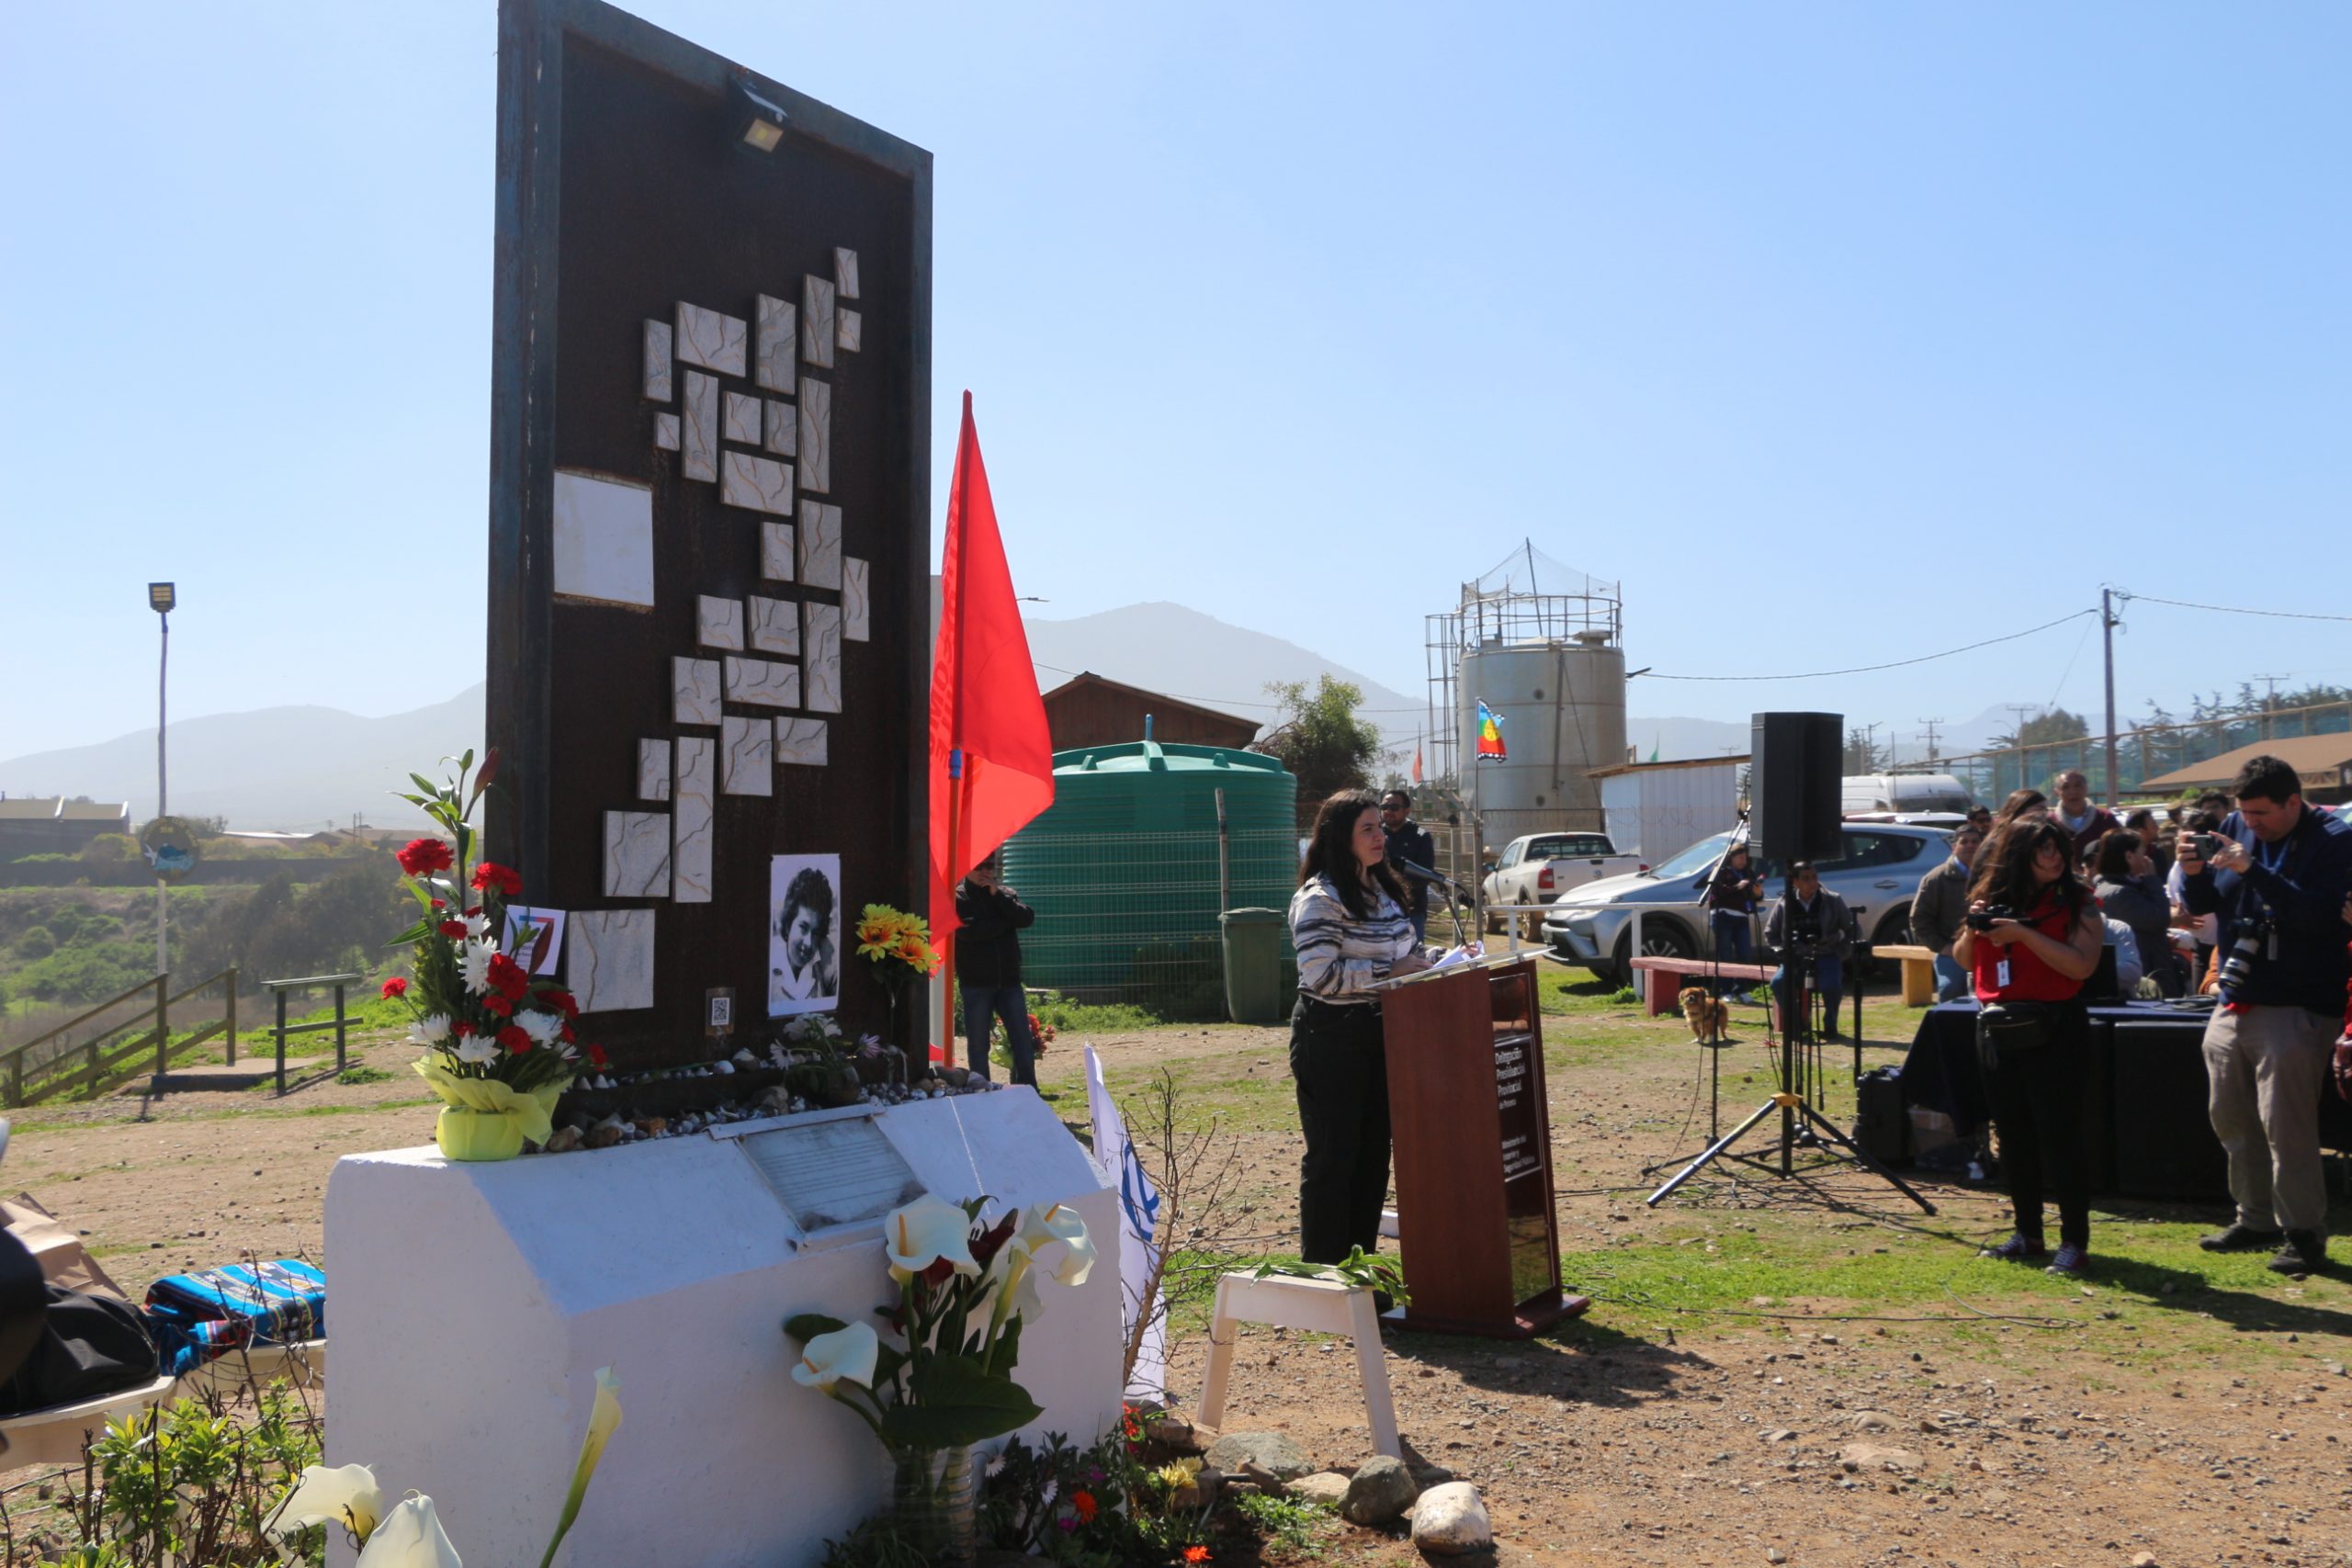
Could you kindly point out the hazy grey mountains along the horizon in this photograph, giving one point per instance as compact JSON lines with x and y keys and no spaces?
{"x":319,"y":768}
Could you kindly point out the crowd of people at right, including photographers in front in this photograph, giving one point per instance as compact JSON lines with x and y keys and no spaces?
{"x":2245,"y":897}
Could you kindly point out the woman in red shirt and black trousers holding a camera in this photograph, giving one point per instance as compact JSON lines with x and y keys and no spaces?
{"x":2033,"y":1033}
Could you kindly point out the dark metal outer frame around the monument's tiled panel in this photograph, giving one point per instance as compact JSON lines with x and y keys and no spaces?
{"x":523,"y":389}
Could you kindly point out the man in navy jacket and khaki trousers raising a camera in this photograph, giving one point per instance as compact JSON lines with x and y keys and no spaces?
{"x":2276,"y":878}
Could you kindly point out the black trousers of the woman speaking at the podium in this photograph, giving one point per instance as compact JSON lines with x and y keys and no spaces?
{"x":1342,"y":1073}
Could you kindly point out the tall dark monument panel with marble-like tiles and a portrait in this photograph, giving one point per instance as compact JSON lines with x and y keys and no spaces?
{"x":709,"y":570}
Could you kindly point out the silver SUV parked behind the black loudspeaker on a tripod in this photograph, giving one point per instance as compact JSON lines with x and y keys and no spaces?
{"x":1878,"y":876}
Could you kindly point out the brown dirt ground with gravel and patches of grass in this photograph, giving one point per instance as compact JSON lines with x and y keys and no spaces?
{"x":2158,"y":1409}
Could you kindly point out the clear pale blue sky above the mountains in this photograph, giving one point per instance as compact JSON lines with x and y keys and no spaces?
{"x":1836,"y":333}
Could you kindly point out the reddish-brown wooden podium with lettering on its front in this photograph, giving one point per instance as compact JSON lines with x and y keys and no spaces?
{"x":1474,"y":1151}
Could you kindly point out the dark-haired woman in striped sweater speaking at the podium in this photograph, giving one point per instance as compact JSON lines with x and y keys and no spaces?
{"x":1351,"y":930}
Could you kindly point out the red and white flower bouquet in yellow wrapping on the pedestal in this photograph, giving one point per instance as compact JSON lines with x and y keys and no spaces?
{"x":497,"y":1040}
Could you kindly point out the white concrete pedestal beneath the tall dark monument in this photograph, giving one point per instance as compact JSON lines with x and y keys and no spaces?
{"x":472,"y":1306}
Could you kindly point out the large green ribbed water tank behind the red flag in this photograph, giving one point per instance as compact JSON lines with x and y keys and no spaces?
{"x":1130,"y":873}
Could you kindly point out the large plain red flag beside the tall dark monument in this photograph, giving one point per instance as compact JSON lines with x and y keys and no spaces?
{"x":984,"y":695}
